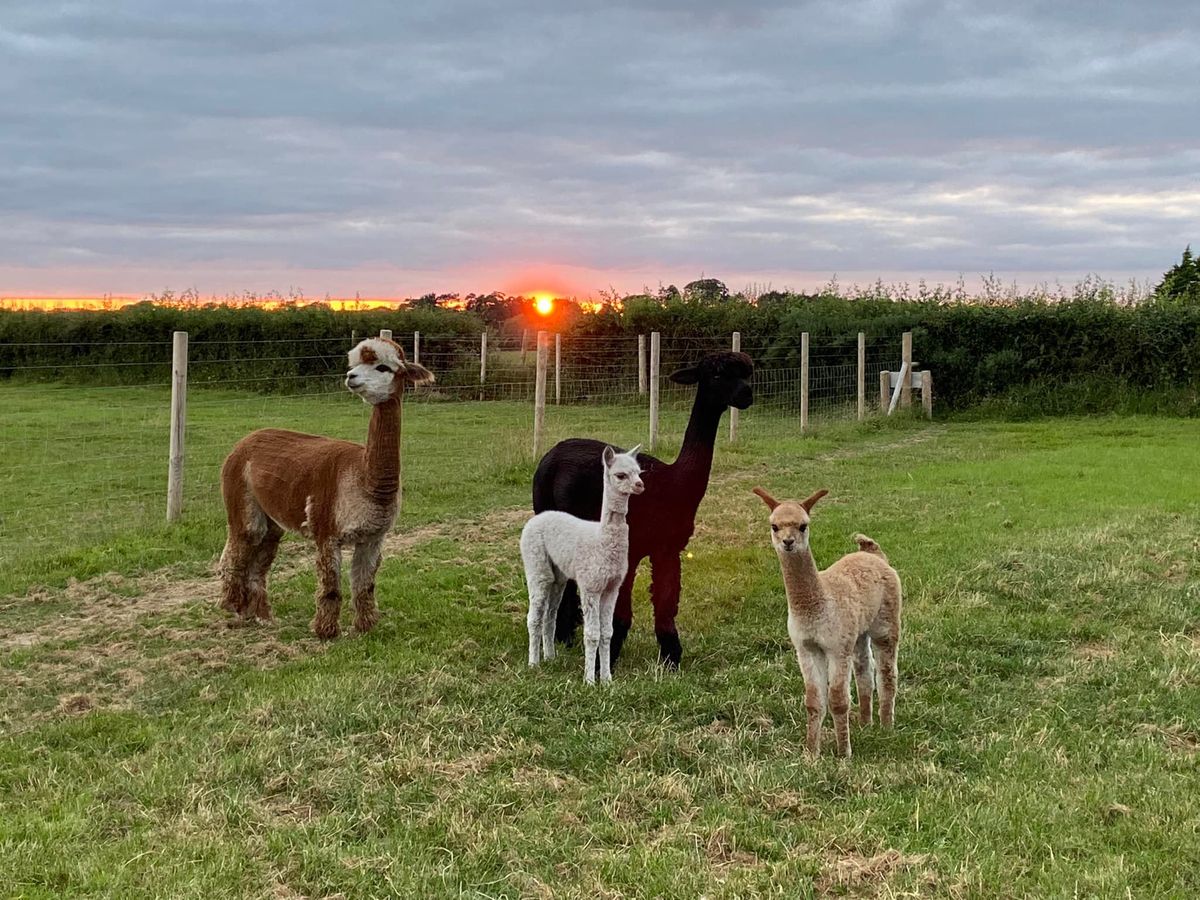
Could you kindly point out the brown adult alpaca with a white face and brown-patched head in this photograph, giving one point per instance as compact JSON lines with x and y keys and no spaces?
{"x":335,"y":493}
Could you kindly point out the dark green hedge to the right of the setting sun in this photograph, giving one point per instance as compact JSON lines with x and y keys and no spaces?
{"x":1024,"y":358}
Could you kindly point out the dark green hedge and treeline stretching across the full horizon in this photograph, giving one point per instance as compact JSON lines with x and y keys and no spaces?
{"x":1027,"y":357}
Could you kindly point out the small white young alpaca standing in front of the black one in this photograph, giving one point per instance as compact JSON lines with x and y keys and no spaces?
{"x":557,"y":547}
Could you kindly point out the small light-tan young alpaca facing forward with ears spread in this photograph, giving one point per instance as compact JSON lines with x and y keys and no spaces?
{"x":835,"y":619}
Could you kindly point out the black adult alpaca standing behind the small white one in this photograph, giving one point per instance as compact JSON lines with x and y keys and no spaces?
{"x":663,"y":519}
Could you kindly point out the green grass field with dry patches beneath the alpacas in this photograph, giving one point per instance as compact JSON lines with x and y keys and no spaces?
{"x":1048,"y":718}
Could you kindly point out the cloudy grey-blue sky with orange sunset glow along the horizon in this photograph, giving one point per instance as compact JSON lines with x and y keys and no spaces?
{"x":394,"y":149}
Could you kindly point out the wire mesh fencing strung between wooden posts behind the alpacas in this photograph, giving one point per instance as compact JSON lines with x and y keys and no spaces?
{"x":85,"y":441}
